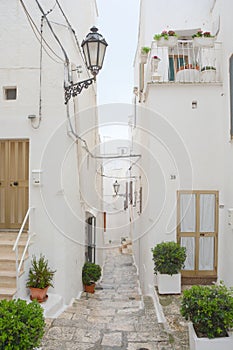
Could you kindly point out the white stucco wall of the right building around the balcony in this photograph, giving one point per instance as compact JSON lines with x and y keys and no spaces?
{"x":192,"y":144}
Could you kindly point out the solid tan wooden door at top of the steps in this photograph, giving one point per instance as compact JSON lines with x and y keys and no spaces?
{"x":14,"y":173}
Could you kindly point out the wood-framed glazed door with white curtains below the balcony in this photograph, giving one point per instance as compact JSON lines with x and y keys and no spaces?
{"x":197,"y":230}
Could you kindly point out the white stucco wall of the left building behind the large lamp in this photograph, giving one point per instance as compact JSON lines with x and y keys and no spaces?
{"x":59,"y":217}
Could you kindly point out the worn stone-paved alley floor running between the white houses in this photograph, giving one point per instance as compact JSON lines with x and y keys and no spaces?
{"x":115,"y":317}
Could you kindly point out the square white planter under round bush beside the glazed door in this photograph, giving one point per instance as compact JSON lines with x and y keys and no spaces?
{"x":168,"y":284}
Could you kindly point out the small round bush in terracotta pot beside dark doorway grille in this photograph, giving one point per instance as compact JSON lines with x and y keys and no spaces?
{"x":91,"y":273}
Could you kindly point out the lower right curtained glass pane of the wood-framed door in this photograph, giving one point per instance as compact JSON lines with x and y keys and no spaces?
{"x":206,"y":253}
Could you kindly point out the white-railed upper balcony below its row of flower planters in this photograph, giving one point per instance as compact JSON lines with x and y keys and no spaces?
{"x":185,"y":63}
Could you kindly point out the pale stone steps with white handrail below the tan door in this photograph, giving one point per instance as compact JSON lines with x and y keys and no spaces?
{"x":7,"y":262}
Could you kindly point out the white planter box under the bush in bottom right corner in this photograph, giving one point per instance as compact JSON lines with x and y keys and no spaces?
{"x":196,"y":343}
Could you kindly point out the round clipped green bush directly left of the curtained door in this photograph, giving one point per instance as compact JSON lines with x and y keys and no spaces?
{"x":169,"y":258}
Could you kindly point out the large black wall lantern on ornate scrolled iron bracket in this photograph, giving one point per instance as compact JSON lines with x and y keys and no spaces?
{"x":94,"y":47}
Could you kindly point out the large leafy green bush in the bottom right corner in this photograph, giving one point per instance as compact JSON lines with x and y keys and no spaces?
{"x":209,"y":308}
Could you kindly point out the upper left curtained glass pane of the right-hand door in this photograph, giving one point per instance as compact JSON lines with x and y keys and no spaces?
{"x":188,"y":212}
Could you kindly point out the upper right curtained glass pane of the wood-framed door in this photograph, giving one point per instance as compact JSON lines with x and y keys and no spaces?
{"x":207,"y":212}
